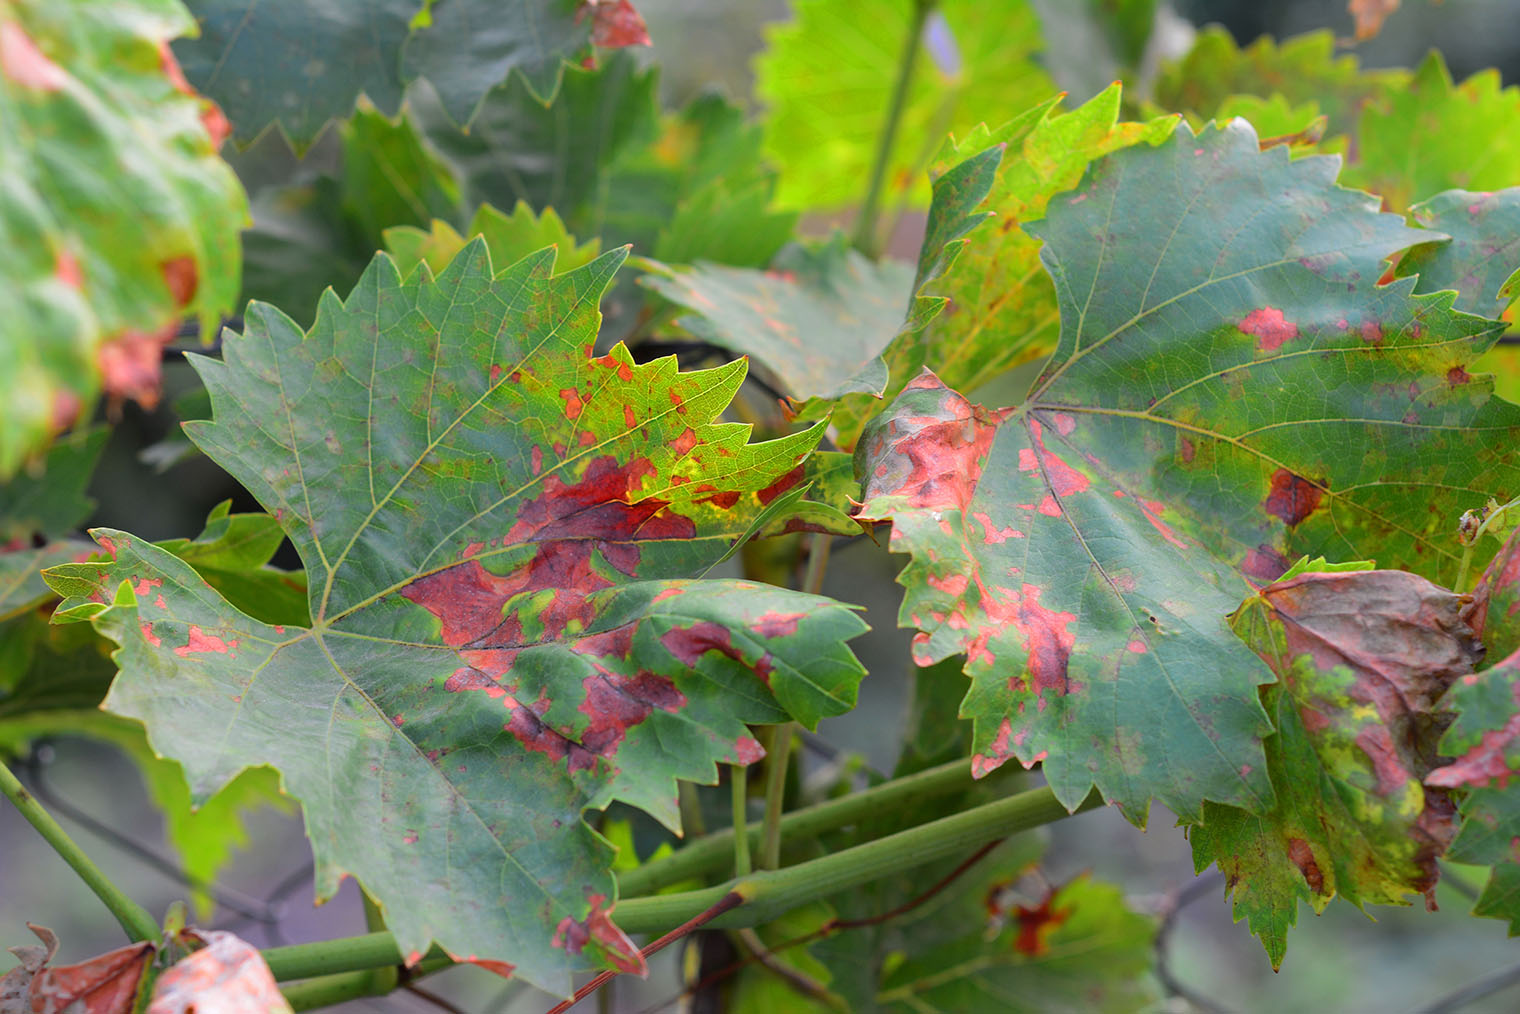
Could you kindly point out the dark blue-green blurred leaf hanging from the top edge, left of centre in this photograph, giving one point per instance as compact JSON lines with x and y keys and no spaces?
{"x":302,"y":66}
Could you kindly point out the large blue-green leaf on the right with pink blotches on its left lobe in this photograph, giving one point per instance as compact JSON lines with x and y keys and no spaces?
{"x":1085,"y":547}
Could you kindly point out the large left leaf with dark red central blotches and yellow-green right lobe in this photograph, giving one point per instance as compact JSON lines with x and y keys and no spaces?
{"x":499,"y":533}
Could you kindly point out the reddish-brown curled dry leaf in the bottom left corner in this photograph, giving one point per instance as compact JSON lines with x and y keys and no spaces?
{"x":106,"y":984}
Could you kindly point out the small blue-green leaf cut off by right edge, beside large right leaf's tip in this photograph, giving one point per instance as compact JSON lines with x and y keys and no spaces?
{"x":1480,"y":258}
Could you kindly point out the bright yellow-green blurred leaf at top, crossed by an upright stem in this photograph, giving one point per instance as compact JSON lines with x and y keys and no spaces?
{"x":828,"y":78}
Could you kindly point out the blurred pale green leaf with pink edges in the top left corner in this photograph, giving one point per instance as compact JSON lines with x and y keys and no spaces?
{"x":118,"y":218}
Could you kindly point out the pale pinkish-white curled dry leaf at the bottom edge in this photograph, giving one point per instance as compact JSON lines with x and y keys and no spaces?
{"x":226,"y":977}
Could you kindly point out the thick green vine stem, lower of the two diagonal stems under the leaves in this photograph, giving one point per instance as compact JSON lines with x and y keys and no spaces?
{"x":764,"y":895}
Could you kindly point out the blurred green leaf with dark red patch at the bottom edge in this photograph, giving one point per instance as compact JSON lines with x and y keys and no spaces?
{"x":1075,"y":949}
